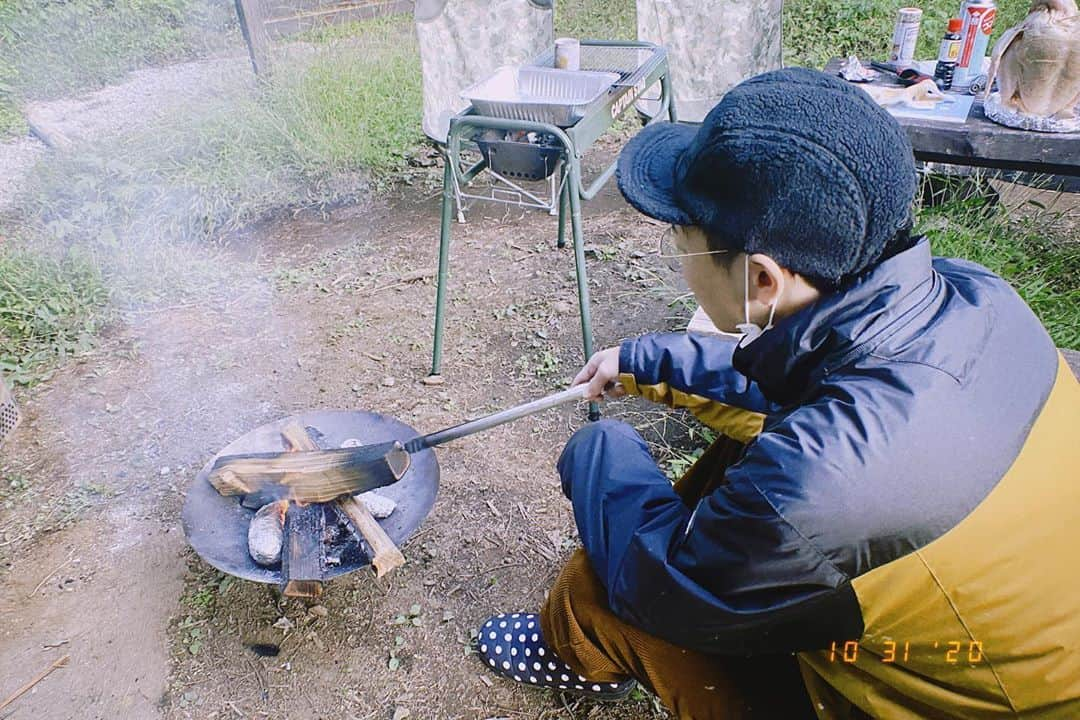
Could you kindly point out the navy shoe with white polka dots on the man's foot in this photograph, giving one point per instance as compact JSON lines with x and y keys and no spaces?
{"x":512,"y":646}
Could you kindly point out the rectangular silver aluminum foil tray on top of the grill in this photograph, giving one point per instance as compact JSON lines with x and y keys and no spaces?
{"x":536,"y":94}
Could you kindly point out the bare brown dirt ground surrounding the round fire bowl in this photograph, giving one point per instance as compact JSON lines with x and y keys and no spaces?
{"x":315,"y":314}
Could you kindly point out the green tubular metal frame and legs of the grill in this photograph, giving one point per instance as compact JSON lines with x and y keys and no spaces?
{"x":575,"y":141}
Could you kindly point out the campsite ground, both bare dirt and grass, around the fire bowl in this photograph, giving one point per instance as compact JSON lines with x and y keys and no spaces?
{"x":178,"y":278}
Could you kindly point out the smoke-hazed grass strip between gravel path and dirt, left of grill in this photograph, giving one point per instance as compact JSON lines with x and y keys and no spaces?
{"x":310,"y":137}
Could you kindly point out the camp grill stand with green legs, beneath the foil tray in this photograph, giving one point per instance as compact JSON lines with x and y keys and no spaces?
{"x":640,"y":66}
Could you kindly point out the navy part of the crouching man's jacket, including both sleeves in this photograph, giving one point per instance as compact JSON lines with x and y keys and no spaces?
{"x":883,"y":416}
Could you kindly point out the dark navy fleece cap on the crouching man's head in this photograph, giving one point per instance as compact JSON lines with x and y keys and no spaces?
{"x":794,"y":164}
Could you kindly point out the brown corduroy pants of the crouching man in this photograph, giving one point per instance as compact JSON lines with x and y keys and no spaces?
{"x":582,"y":629}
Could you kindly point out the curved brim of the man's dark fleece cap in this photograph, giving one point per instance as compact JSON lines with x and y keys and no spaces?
{"x":646,"y":171}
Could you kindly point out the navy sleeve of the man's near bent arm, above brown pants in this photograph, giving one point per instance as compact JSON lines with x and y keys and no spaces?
{"x":731,"y":577}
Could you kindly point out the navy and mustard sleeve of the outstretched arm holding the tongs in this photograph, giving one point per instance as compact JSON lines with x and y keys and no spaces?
{"x":695,"y":372}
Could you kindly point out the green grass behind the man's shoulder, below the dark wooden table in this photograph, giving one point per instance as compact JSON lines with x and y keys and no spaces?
{"x":1033,"y":249}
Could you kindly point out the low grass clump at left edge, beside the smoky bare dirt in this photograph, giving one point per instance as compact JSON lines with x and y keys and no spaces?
{"x":51,"y":308}
